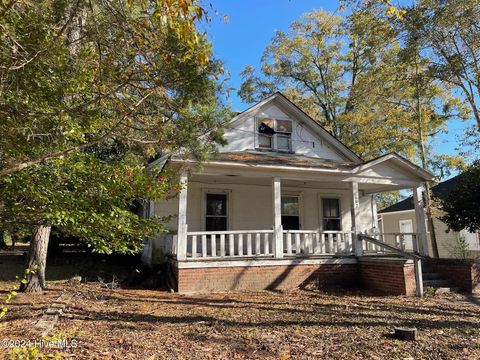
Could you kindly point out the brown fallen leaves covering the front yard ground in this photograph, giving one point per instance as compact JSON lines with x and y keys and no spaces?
{"x":151,"y":324}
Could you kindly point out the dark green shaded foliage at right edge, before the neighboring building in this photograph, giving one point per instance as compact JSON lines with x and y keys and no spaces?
{"x":461,"y":205}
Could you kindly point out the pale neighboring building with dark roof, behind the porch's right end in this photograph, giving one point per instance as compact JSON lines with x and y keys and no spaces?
{"x":400,"y":218}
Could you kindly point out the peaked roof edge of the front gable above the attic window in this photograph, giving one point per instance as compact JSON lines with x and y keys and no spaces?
{"x":301,"y":115}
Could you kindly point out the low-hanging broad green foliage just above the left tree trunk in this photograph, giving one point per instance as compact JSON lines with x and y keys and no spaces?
{"x":88,"y":198}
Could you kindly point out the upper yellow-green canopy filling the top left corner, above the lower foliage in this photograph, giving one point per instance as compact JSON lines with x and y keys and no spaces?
{"x":76,"y":73}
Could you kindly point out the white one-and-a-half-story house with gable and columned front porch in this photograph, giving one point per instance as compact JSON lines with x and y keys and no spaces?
{"x":282,"y":202}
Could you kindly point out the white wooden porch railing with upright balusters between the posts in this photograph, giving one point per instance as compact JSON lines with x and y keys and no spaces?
{"x":296,"y":243}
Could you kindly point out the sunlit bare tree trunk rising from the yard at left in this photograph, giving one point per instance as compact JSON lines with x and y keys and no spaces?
{"x":37,"y":259}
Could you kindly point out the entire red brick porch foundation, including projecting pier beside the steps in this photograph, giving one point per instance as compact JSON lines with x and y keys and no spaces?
{"x":392,"y":276}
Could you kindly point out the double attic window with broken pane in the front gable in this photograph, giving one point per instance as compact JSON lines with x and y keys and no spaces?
{"x":275,"y":134}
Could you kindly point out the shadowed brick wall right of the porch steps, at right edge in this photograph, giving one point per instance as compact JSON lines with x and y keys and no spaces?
{"x":464,"y":274}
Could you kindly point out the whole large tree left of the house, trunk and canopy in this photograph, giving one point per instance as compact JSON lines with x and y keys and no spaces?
{"x":84,"y":79}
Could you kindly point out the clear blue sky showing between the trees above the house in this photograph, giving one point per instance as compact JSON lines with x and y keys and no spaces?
{"x":252,"y":24}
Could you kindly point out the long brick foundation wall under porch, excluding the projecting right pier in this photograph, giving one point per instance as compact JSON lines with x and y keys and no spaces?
{"x":266,"y":277}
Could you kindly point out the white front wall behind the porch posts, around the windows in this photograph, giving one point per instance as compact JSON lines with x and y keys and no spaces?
{"x":250,"y":206}
